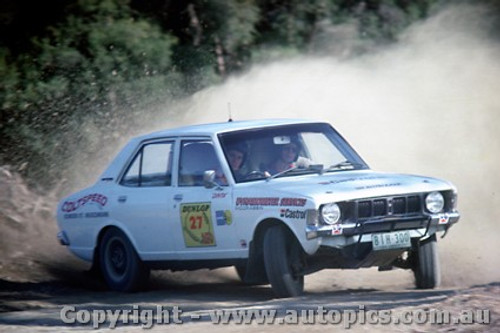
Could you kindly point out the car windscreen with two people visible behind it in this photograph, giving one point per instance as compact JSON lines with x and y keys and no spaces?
{"x":287,"y":150}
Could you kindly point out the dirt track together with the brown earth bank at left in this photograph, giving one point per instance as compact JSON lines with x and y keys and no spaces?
{"x":38,"y":277}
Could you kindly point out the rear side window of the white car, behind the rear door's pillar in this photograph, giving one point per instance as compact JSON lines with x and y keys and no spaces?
{"x":152,"y":166}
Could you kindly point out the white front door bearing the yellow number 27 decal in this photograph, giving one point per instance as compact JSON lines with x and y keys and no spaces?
{"x":203,"y":214}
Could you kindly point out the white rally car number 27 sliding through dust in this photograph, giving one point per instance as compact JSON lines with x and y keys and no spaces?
{"x":277,"y":199}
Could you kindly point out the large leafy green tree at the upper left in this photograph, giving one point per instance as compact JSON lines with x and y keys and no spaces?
{"x":102,"y":64}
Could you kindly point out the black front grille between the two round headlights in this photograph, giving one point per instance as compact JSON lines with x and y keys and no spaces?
{"x":390,"y":206}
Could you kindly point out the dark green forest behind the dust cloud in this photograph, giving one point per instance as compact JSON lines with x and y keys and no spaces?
{"x":114,"y":63}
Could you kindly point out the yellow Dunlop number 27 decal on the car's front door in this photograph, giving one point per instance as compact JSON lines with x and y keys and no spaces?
{"x":197,"y":227}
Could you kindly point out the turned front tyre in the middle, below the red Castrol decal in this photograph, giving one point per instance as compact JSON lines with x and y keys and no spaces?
{"x":283,"y":262}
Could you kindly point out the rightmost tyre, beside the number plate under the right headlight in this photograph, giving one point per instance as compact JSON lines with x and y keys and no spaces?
{"x":426,"y":264}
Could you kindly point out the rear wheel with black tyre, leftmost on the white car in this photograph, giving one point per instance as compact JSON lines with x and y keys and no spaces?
{"x":121,"y":267}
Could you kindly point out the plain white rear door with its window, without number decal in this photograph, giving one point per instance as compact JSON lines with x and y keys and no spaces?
{"x":144,"y":200}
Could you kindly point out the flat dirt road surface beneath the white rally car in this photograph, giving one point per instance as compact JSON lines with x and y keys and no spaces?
{"x":38,"y":306}
